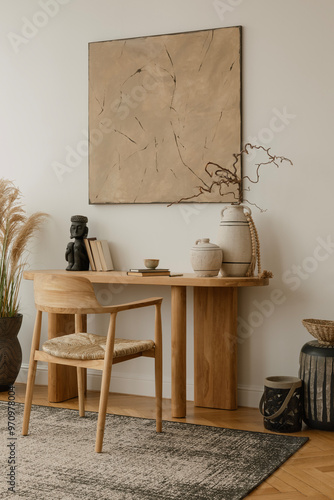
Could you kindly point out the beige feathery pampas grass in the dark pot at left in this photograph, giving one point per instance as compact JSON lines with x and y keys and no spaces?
{"x":16,"y":229}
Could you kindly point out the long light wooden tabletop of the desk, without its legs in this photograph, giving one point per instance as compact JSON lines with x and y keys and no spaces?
{"x":187,"y":279}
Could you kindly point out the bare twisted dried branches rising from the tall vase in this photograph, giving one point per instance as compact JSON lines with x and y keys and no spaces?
{"x":222,"y":177}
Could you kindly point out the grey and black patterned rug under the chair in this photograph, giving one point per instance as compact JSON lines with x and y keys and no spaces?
{"x":57,"y":459}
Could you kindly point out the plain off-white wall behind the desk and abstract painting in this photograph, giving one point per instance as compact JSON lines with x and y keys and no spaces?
{"x":287,"y":69}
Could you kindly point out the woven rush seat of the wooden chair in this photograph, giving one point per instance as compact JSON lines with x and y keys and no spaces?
{"x":92,"y":346}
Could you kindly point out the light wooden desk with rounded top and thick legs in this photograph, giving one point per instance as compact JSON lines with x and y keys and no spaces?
{"x":215,"y":336}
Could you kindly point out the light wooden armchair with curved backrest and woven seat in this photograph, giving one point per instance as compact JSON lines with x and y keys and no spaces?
{"x":75,"y":295}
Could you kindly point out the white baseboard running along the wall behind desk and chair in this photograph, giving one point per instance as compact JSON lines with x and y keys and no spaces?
{"x":247,"y":396}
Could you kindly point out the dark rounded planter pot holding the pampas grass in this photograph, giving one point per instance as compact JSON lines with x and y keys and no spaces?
{"x":10,"y":351}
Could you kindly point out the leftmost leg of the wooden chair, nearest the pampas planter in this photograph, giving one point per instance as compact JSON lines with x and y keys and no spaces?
{"x":31,"y":373}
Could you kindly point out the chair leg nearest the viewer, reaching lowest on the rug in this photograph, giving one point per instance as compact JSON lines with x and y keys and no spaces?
{"x":106,"y":374}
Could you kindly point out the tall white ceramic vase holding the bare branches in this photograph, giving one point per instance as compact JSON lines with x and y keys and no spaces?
{"x":234,"y":239}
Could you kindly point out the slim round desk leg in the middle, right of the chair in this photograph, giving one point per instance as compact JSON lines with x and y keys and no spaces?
{"x":179,"y":337}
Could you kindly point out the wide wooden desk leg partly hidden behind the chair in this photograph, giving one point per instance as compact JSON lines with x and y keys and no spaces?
{"x":62,"y":380}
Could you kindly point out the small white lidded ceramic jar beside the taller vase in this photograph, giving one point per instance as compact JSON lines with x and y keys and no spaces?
{"x":206,"y":258}
